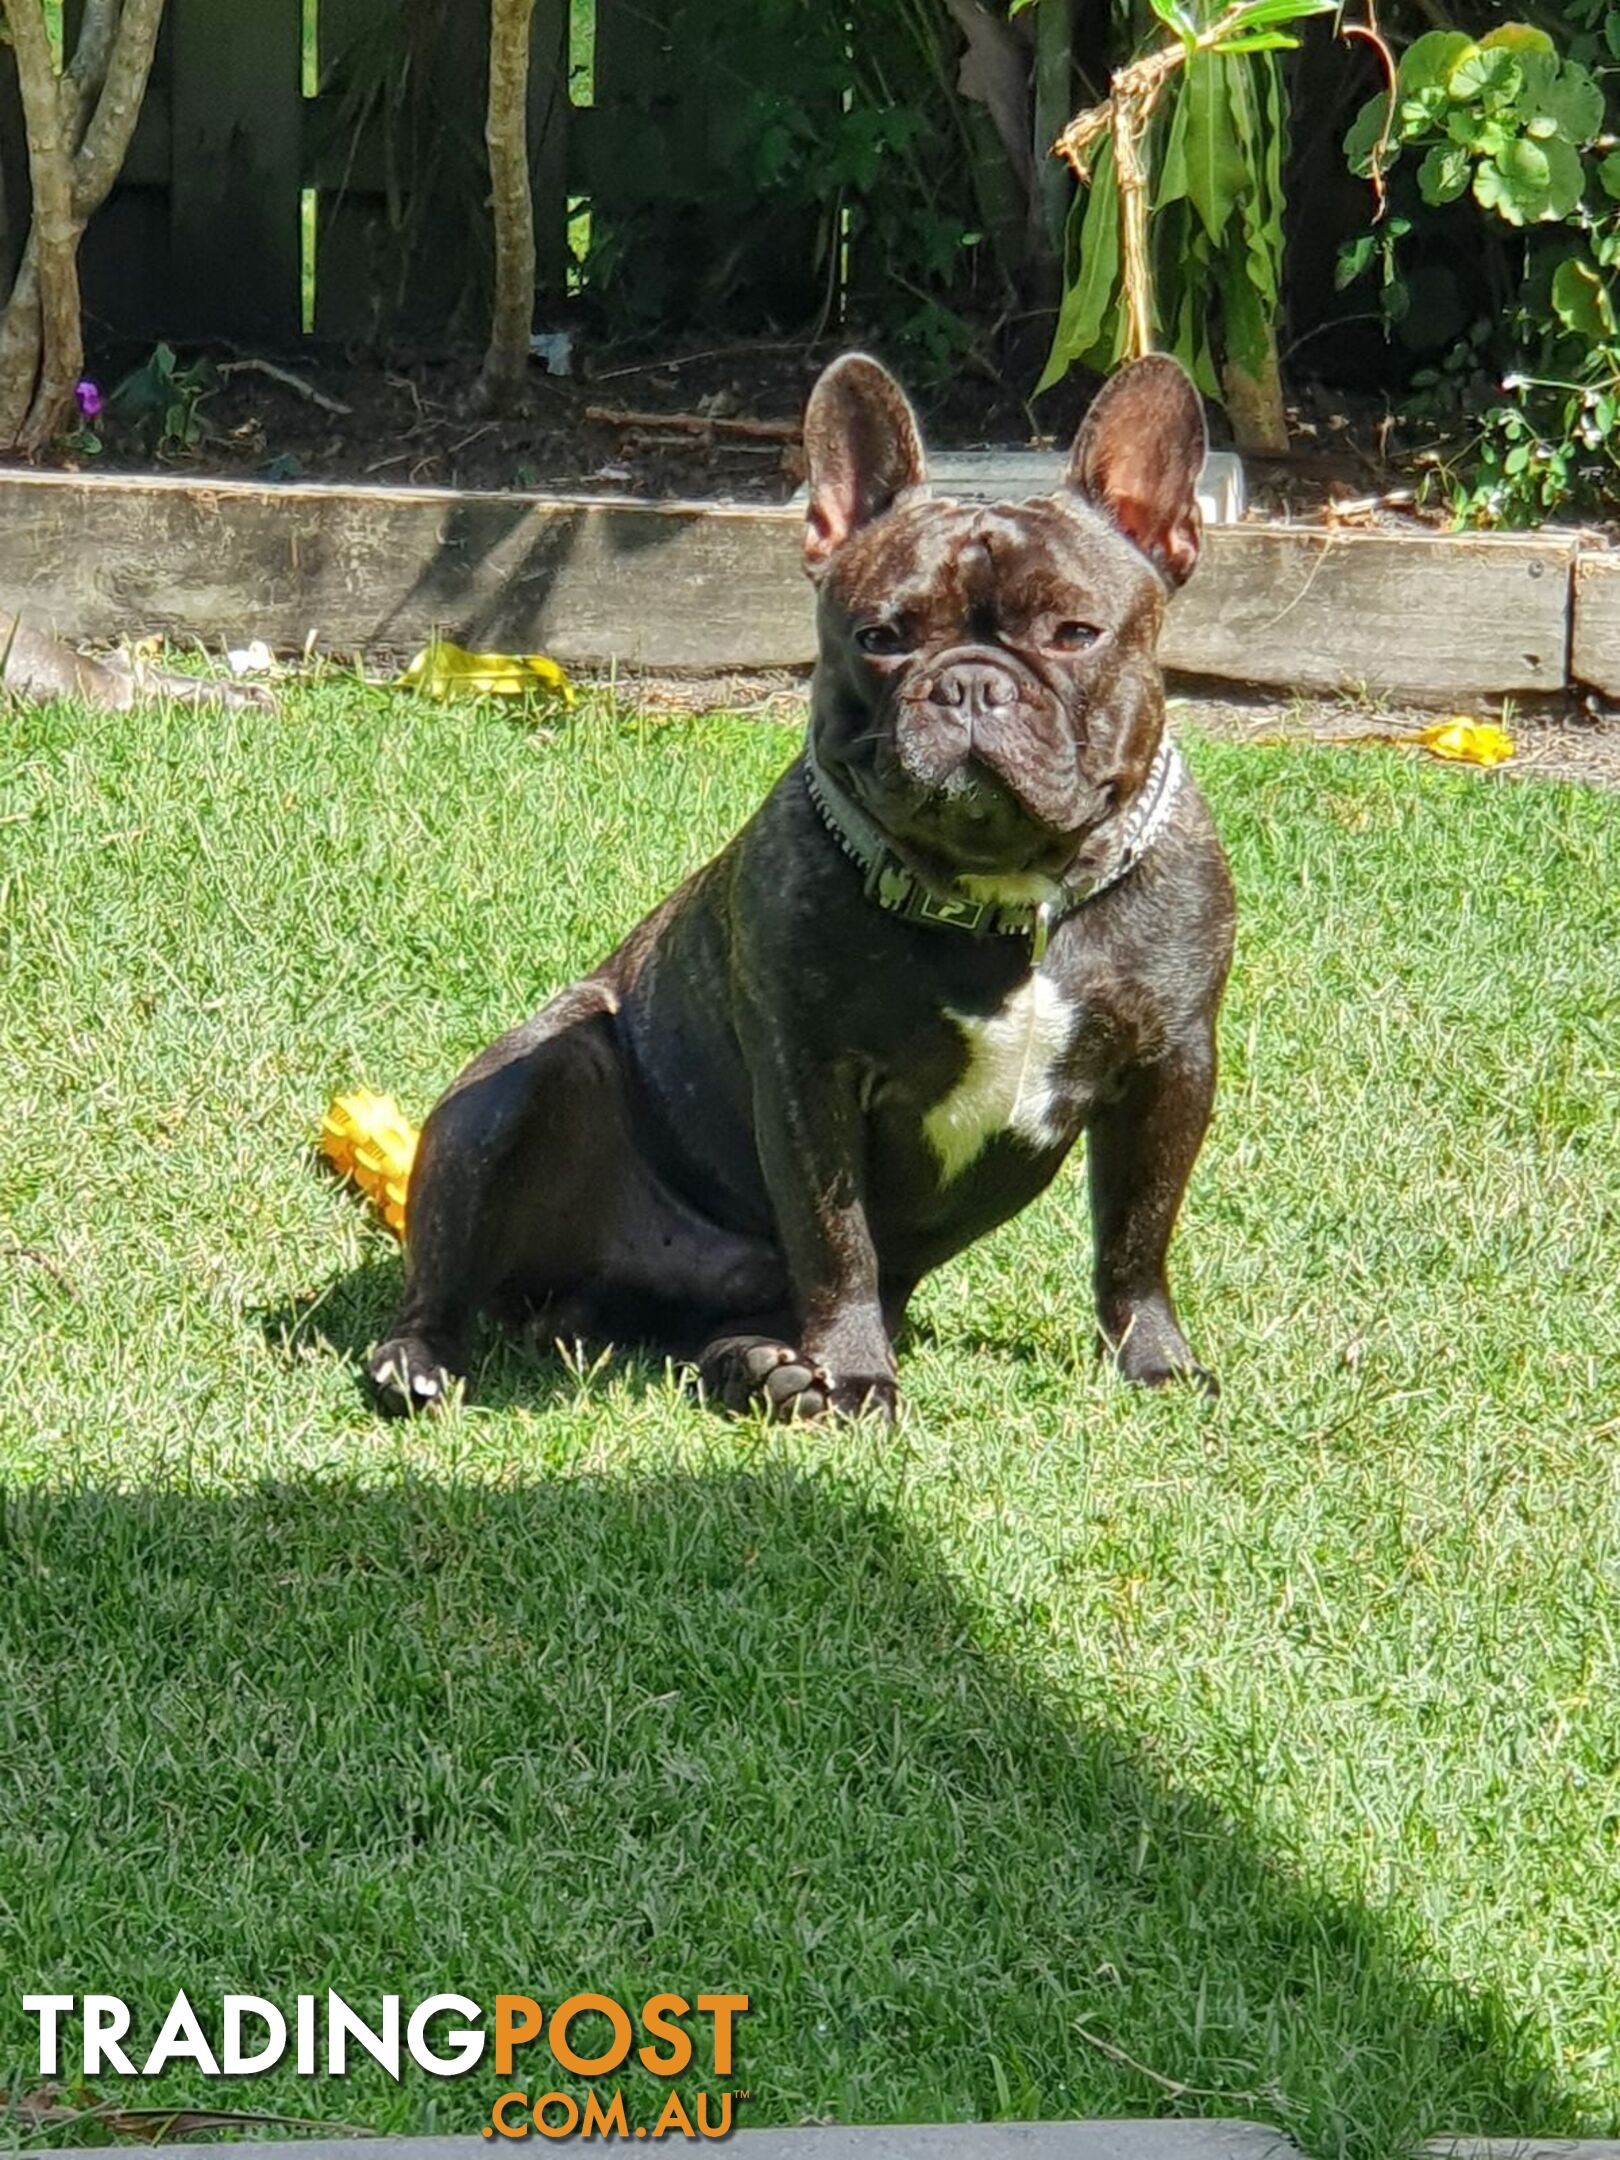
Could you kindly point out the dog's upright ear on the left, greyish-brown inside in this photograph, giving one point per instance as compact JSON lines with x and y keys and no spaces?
{"x":861,"y":448}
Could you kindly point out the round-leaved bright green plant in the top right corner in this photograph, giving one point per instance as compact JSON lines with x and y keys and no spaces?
{"x":1513,"y":129}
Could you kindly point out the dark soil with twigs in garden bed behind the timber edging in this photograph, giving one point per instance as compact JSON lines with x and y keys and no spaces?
{"x":416,"y":427}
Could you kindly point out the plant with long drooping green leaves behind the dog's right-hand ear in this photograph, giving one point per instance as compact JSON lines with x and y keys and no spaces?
{"x":1191,"y":144}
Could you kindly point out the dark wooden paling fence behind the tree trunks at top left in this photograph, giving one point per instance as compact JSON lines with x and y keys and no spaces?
{"x":316,"y":167}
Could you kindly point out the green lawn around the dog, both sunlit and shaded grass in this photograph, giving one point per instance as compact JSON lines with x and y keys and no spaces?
{"x":1275,"y":1744}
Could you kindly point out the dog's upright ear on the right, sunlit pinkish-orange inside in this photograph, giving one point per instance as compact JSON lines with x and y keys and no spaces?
{"x":1139,"y":457}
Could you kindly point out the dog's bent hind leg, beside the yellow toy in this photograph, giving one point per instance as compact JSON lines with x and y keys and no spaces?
{"x":515,"y":1172}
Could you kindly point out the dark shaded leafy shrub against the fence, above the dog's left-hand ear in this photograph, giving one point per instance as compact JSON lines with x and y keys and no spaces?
{"x":820,"y":167}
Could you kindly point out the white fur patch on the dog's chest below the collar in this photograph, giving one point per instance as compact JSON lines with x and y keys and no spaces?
{"x":1012,"y":1077}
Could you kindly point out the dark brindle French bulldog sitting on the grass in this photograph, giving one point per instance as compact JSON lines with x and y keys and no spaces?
{"x":755,"y":1129}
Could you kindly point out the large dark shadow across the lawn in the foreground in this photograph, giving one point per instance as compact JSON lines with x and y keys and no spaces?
{"x":699,"y":1733}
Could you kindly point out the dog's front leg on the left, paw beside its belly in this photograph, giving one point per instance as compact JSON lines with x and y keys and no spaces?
{"x":813,"y":1155}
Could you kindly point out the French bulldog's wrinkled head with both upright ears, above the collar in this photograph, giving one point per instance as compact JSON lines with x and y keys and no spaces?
{"x":988,"y":686}
